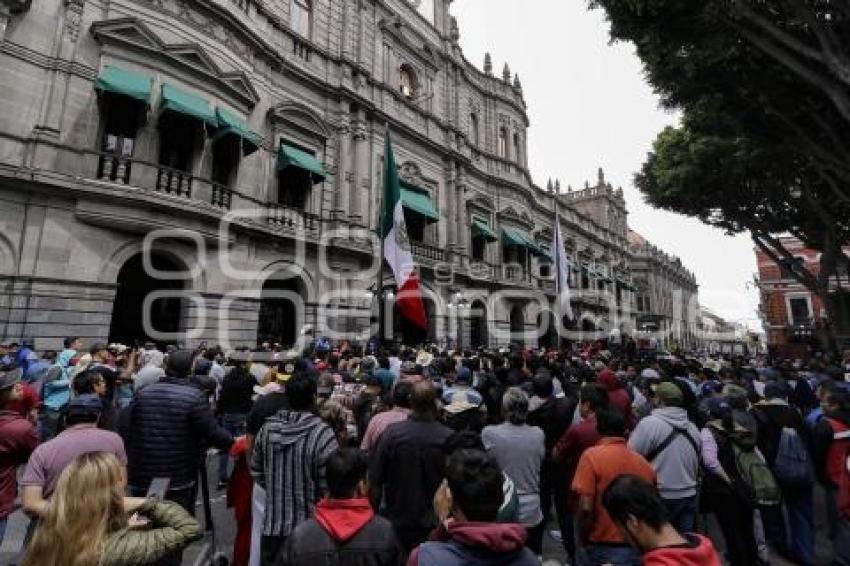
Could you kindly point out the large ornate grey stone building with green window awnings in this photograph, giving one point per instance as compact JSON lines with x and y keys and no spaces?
{"x":206,"y":169}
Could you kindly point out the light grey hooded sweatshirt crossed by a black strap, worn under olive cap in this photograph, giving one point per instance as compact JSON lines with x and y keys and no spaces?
{"x":678,"y":464}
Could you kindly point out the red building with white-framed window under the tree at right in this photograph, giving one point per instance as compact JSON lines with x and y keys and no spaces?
{"x":794,"y":318}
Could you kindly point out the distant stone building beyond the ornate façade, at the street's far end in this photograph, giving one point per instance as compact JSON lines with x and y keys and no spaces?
{"x":666,"y":301}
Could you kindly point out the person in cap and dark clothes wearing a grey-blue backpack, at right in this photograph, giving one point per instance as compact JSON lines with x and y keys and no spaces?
{"x":773,"y":416}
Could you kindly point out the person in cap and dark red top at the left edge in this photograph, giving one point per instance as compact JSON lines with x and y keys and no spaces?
{"x":18,"y":439}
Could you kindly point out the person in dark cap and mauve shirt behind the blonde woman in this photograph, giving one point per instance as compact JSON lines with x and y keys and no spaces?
{"x":80,"y":436}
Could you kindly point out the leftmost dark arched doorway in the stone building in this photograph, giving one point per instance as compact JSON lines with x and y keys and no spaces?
{"x":134,"y":284}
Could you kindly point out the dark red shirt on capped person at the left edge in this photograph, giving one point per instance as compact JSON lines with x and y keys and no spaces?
{"x":17,"y":441}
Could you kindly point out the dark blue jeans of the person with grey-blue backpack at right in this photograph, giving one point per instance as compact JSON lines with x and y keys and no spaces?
{"x":797,"y":537}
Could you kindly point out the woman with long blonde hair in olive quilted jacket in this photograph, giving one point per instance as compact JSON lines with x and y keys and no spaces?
{"x":89,"y":522}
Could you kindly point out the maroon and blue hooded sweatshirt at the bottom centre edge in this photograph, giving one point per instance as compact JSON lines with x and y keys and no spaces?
{"x":482,"y":544}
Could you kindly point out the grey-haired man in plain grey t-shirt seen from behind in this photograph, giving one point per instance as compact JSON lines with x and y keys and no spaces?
{"x":519,"y":449}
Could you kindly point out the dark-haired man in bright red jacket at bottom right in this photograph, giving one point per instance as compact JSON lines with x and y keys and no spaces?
{"x":636,"y":508}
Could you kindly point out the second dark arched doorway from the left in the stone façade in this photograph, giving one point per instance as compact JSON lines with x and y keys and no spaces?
{"x":282,"y":309}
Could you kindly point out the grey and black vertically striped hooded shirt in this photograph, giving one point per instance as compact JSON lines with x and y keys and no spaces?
{"x":288,"y":461}
